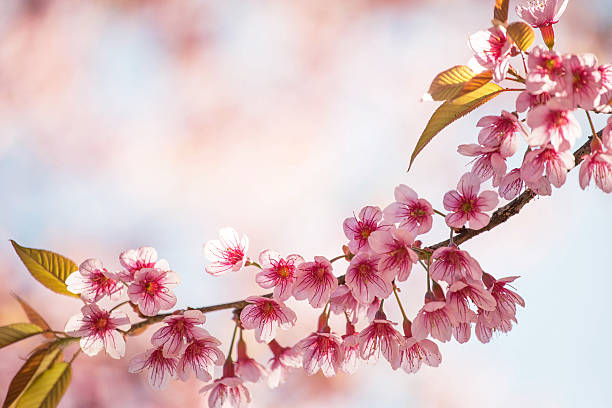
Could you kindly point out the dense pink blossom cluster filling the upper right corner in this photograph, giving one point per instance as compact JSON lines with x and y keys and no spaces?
{"x":556,"y":85}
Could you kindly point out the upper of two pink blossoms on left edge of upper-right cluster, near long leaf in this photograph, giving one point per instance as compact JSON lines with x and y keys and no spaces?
{"x":503,"y":131}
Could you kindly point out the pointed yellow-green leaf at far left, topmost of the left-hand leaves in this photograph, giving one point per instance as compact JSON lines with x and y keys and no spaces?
{"x":47,"y":267}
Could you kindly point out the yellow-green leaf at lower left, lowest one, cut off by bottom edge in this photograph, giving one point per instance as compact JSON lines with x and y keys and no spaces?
{"x":48,"y":388}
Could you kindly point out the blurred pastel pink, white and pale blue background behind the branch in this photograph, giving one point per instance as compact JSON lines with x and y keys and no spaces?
{"x":126,"y":123}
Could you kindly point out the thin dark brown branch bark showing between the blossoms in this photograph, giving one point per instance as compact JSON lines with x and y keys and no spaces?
{"x":500,"y":216}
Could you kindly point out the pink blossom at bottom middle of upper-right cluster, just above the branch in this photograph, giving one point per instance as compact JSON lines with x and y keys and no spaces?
{"x":554,"y":164}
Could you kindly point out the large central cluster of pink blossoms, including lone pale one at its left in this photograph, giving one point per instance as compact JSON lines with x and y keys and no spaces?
{"x":381,"y":250}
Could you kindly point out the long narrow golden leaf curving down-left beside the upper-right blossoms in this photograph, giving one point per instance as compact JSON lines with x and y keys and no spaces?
{"x":450,"y":111}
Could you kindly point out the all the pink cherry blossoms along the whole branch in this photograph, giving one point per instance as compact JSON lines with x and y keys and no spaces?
{"x":382,"y":248}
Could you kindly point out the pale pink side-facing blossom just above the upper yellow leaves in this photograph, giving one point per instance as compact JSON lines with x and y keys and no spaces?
{"x":492,"y":49}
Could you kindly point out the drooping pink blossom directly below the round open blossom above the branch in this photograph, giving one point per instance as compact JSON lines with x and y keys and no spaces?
{"x":450,"y":264}
